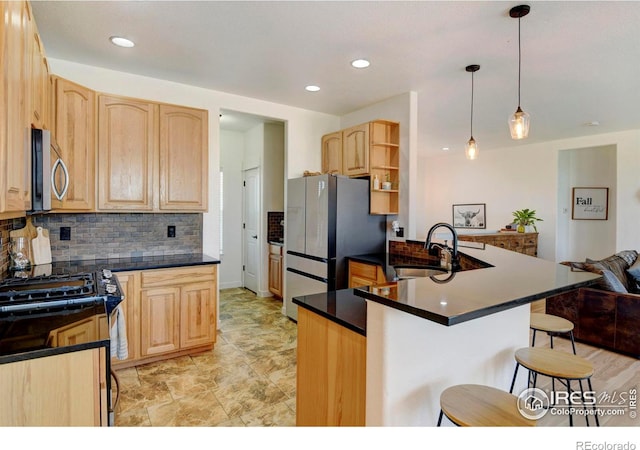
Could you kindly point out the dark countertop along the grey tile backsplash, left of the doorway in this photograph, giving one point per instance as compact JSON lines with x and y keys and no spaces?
{"x":119,"y":264}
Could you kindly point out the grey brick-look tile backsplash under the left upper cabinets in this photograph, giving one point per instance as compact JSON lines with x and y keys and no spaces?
{"x":112,"y":235}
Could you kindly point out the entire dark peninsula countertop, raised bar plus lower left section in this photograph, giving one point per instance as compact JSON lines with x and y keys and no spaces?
{"x":509,"y":280}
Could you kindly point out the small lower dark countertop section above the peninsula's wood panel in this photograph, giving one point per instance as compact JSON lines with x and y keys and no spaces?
{"x":342,"y":307}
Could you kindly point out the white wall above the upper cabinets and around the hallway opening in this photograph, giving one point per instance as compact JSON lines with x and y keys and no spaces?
{"x":304,"y":128}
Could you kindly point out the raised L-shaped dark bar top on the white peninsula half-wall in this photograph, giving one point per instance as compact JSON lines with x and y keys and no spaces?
{"x":512,"y":279}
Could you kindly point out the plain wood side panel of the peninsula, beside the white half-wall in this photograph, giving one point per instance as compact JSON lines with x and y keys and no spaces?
{"x":331,"y":373}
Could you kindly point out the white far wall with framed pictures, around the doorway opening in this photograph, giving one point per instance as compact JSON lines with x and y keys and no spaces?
{"x":527,"y":176}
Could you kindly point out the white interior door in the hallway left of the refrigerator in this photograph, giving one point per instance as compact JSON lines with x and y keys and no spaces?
{"x":251,"y":225}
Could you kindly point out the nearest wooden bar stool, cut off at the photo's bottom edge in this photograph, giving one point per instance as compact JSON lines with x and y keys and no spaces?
{"x":474,"y":405}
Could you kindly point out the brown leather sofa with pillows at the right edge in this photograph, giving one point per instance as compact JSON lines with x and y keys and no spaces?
{"x":607,"y":314}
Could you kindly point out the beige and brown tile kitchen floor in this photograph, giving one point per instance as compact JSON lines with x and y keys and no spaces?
{"x":248,"y":379}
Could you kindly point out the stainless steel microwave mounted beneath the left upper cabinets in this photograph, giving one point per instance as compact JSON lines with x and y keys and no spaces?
{"x":47,"y":179}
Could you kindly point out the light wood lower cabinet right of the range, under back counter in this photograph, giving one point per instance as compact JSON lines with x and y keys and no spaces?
{"x":168,"y":312}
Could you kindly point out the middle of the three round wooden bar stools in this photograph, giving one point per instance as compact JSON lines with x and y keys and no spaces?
{"x":555,"y":364}
